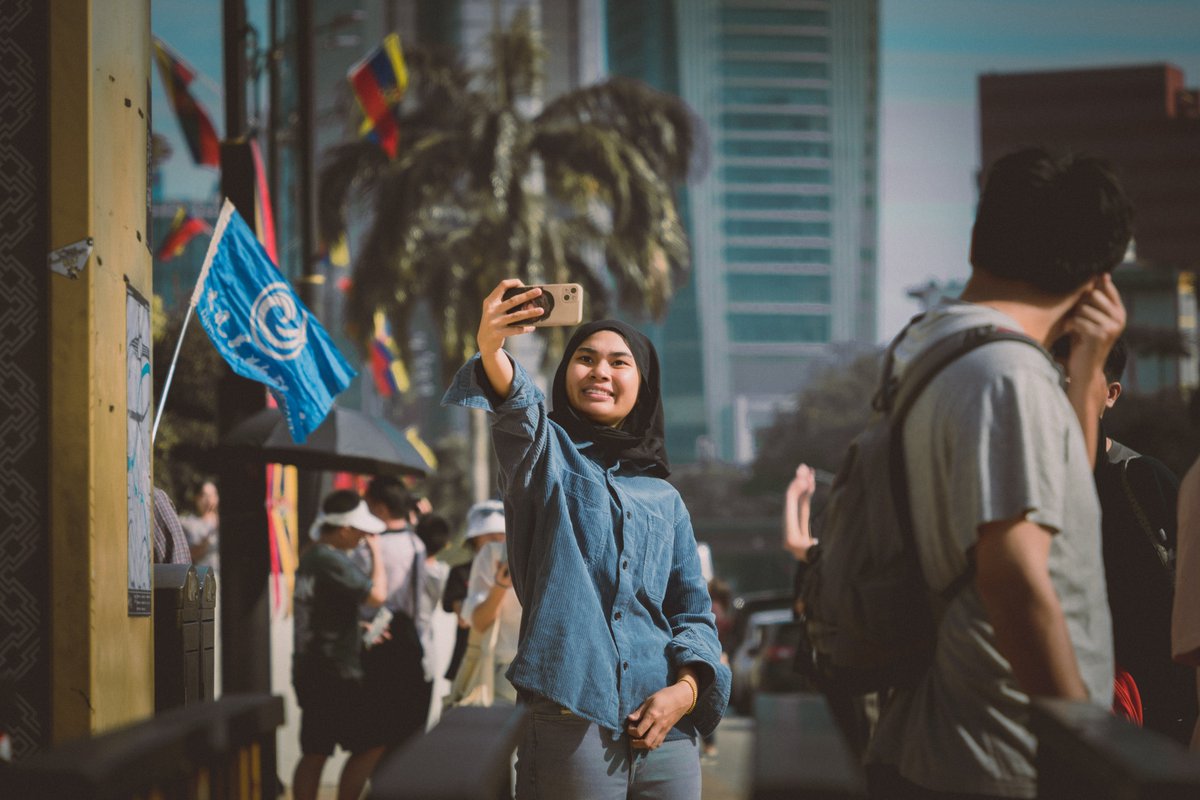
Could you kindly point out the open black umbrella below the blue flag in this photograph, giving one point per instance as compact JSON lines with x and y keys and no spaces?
{"x":347,"y":441}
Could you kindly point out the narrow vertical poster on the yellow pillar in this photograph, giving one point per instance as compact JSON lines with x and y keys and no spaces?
{"x":140,"y":498}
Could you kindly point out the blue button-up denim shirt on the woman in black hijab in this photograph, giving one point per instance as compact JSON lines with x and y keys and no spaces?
{"x":604,"y":562}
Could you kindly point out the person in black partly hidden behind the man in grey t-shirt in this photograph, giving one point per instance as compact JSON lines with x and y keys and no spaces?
{"x":1138,"y":502}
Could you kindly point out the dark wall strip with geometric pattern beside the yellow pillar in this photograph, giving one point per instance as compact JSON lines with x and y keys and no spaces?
{"x":25,"y":396}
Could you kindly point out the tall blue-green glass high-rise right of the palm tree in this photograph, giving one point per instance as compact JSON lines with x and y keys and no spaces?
{"x":784,"y":221}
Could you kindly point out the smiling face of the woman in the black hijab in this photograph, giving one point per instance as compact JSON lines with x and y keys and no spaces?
{"x":603,"y":380}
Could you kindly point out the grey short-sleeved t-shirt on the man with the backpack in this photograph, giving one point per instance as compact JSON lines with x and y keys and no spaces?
{"x":992,"y":438}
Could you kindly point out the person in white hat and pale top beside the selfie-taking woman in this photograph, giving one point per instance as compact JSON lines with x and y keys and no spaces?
{"x":490,"y":597}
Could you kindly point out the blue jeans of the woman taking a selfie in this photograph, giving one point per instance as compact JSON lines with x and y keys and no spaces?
{"x":565,"y":757}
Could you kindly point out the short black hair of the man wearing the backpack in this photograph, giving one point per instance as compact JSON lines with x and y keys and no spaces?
{"x":1051,"y":222}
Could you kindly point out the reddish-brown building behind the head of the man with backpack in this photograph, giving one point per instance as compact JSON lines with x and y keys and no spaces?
{"x":1147,"y":122}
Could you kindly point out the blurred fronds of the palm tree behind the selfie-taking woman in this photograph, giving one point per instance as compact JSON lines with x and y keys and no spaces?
{"x":485,"y":189}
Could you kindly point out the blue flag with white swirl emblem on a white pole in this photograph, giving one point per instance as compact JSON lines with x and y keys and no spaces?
{"x":262,"y":329}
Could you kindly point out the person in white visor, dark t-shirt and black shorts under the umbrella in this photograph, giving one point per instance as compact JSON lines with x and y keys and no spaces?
{"x":327,"y":666}
